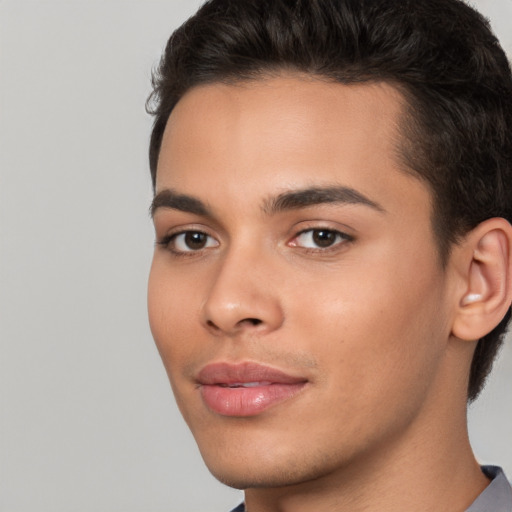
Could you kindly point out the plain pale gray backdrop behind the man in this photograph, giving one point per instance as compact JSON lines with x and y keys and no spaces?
{"x":88,"y":422}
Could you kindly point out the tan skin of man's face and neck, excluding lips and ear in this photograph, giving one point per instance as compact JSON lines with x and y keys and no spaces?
{"x":367,"y":321}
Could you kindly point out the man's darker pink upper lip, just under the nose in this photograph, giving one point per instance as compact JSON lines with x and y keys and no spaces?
{"x":228,"y":373}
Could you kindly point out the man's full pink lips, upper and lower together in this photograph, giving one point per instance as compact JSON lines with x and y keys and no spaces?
{"x":245,"y":389}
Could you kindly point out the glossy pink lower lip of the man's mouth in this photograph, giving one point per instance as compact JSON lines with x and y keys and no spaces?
{"x":249,"y":401}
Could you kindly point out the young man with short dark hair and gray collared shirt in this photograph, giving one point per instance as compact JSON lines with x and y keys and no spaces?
{"x":332,"y":273}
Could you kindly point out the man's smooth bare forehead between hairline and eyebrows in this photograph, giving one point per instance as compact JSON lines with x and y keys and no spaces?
{"x":264,"y":136}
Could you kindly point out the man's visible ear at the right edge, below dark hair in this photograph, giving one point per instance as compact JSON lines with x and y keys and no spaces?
{"x":485,"y":258}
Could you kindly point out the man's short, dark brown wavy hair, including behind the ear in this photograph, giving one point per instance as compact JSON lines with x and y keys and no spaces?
{"x":441,"y":54}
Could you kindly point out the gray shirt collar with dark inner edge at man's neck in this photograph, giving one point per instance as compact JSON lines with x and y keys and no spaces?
{"x":497,"y":496}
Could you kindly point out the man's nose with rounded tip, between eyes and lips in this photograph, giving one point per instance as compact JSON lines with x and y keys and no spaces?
{"x":243,"y":297}
